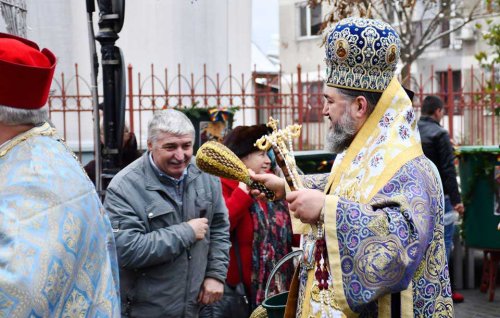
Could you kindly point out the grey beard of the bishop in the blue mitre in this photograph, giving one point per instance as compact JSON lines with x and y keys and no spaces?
{"x":341,"y":134}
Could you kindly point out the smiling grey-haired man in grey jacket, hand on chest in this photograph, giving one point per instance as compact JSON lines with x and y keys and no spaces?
{"x":171,"y":226}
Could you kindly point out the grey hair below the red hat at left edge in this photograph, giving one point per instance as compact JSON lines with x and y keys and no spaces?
{"x":17,"y":116}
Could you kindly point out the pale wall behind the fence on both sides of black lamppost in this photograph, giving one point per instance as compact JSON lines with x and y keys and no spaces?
{"x":160,"y":32}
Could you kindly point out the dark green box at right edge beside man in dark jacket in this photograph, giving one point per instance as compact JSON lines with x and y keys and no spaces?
{"x":479,"y":168}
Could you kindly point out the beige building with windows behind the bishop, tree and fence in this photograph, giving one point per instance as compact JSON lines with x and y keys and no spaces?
{"x":301,"y":44}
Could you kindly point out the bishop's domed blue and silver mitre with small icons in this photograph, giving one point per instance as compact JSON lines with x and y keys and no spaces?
{"x":361,"y":54}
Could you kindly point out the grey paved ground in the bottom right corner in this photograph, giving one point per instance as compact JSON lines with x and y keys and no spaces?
{"x":476,"y":305}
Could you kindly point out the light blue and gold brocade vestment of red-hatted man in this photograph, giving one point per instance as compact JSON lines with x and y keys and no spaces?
{"x":56,"y":249}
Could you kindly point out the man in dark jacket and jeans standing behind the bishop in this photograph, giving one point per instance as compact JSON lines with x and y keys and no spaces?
{"x":437,"y":147}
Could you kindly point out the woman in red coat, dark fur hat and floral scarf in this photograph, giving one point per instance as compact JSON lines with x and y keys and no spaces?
{"x":261,"y":229}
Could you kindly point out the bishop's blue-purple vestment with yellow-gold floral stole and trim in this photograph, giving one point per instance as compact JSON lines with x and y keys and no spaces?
{"x":383,"y":224}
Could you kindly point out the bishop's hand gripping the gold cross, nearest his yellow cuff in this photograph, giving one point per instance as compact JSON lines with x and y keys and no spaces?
{"x":306,"y":204}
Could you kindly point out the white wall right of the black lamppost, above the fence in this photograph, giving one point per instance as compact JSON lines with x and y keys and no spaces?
{"x":215,"y":32}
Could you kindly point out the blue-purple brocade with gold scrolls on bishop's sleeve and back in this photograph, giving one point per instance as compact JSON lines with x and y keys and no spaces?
{"x":376,"y":258}
